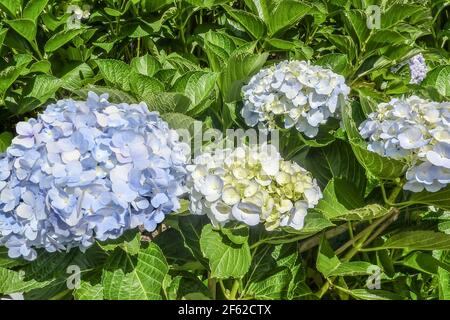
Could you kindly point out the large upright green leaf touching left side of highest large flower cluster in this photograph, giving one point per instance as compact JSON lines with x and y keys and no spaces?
{"x":239,"y":69}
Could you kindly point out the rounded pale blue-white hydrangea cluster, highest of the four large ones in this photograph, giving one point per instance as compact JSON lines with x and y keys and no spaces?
{"x":298,"y":93}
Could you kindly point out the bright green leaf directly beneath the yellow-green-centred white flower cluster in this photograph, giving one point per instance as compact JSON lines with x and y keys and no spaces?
{"x":226,"y":259}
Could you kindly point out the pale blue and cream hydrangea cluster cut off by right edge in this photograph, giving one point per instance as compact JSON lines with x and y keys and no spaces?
{"x":416,"y":131}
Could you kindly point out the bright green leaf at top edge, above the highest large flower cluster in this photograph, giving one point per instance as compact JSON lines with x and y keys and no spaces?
{"x":286,"y":15}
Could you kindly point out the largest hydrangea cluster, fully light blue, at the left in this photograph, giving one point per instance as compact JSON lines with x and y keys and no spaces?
{"x":85,"y":171}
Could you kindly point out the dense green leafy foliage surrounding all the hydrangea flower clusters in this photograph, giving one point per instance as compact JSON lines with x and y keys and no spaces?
{"x":188,"y":60}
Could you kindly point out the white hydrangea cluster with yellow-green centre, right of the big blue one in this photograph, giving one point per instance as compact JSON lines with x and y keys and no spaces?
{"x":252,"y":185}
